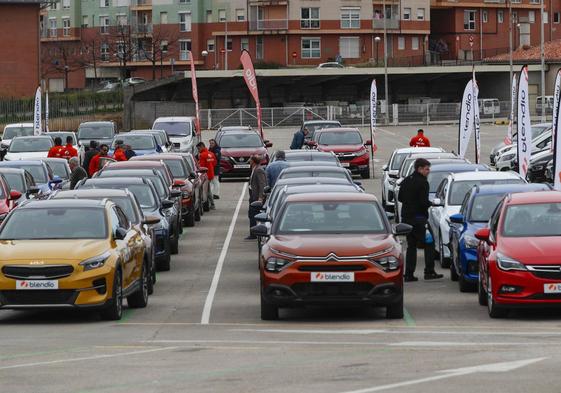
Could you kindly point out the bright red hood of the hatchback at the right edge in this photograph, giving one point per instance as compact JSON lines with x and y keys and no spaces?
{"x":532,"y":250}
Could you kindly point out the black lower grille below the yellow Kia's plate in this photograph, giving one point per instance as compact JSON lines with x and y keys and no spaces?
{"x":38,"y":297}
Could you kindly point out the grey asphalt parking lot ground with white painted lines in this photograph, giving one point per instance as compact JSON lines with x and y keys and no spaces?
{"x":201,"y":331}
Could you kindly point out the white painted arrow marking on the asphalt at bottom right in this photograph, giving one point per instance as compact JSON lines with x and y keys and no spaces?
{"x":484,"y":368}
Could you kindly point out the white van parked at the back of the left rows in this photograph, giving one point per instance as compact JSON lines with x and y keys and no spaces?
{"x":181,"y":131}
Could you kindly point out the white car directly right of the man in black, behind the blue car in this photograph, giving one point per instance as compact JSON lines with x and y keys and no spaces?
{"x":448,"y":201}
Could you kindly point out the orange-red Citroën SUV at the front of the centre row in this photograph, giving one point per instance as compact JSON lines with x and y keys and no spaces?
{"x":330,"y":248}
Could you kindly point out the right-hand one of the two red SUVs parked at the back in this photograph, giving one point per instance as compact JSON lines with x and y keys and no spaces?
{"x":348,"y":146}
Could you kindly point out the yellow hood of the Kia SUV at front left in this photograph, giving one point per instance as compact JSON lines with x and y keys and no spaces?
{"x":50,"y":251}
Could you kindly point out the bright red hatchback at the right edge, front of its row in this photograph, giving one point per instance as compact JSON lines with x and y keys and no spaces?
{"x":520,"y":254}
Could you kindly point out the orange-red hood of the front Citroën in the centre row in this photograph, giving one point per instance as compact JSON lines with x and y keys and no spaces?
{"x":323,"y":245}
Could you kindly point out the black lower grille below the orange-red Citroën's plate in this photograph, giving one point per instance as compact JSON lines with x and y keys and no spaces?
{"x":340,"y":290}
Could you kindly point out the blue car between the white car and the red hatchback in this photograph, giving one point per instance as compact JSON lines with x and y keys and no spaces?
{"x":476,"y":211}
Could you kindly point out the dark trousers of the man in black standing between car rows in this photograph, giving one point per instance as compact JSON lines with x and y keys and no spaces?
{"x":416,"y":239}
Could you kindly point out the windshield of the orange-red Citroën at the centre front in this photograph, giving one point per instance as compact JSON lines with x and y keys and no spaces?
{"x":331,"y":218}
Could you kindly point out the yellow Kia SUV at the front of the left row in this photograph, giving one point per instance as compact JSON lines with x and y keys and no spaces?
{"x":72,"y":253}
